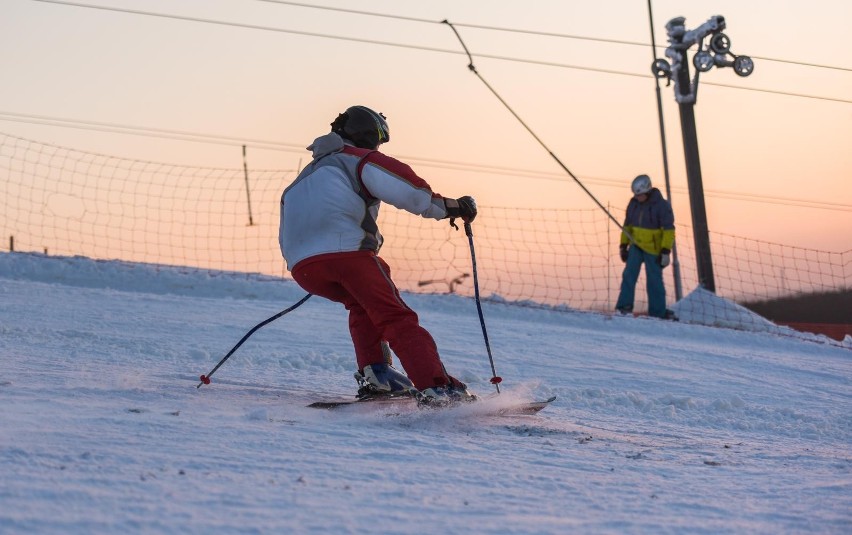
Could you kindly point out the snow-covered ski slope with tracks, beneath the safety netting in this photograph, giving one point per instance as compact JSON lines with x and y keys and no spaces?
{"x":659,"y":427}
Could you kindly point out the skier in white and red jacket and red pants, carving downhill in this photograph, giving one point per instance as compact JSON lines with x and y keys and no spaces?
{"x":330,"y":241}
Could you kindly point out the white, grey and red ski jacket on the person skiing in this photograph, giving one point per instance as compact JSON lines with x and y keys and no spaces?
{"x":333,"y":204}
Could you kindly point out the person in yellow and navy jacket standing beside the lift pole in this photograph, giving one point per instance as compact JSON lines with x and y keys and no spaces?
{"x":650,"y":223}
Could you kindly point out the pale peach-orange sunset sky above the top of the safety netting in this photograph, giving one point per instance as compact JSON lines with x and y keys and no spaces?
{"x":776,"y":147}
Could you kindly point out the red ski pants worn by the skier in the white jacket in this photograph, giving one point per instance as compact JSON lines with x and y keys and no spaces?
{"x":361,"y":281}
